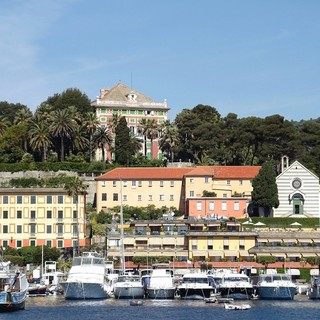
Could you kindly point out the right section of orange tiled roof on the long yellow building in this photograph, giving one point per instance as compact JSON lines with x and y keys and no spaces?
{"x":226,"y":172}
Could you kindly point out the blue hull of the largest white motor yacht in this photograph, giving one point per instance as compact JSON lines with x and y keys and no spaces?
{"x":82,"y":291}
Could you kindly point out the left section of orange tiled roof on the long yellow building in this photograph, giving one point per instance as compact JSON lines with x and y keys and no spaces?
{"x":144,"y":173}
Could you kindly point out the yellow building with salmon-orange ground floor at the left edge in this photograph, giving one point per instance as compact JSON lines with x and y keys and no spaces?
{"x":41,"y":216}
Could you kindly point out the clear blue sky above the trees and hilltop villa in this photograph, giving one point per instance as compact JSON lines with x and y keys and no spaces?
{"x":249,"y":57}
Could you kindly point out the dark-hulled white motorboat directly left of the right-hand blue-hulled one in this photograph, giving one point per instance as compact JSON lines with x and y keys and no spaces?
{"x":232,"y":284}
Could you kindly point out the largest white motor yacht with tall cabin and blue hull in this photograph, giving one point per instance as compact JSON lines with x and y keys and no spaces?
{"x":87,"y":278}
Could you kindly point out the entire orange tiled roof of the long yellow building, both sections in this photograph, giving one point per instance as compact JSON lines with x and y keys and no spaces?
{"x":218,"y":172}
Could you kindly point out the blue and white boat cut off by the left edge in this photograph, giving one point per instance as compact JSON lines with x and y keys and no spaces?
{"x":13,"y":288}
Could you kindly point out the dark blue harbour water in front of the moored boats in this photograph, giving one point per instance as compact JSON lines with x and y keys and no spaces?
{"x":56,"y":308}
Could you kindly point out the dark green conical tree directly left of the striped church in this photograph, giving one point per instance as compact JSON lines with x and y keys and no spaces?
{"x":265,"y":190}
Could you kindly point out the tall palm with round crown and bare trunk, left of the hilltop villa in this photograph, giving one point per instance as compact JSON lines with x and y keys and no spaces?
{"x":62,"y":126}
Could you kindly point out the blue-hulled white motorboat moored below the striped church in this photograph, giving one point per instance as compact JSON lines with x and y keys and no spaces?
{"x":278,"y":286}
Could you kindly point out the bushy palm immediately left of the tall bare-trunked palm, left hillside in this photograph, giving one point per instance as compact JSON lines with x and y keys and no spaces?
{"x":40,"y":139}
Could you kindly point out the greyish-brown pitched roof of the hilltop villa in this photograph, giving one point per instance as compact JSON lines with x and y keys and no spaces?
{"x":120,"y":92}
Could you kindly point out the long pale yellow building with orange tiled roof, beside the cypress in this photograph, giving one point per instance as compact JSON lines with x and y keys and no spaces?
{"x":171,"y":187}
